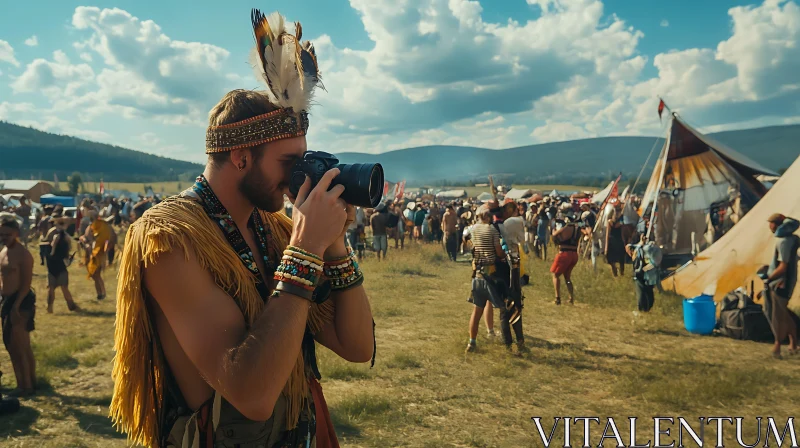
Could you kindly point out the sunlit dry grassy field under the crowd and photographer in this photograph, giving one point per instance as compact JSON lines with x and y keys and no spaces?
{"x":596,"y":358}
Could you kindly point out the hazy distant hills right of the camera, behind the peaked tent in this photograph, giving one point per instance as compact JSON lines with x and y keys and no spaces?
{"x":579,"y":162}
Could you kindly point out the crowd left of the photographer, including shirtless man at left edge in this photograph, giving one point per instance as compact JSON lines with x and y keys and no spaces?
{"x":91,"y":235}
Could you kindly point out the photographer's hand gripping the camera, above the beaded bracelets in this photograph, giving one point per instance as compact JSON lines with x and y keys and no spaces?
{"x":319,"y":215}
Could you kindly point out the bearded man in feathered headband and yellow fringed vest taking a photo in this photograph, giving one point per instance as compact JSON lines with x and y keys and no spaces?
{"x":213,"y":349}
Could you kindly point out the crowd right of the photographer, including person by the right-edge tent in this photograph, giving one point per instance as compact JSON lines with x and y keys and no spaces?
{"x":498,"y":237}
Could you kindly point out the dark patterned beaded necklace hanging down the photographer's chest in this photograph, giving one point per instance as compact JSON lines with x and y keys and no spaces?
{"x":217,"y":212}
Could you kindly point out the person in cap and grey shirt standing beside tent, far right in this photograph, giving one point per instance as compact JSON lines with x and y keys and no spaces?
{"x":780,"y":279}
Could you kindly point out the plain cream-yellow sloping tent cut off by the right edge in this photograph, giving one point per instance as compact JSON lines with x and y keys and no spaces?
{"x":733,"y":260}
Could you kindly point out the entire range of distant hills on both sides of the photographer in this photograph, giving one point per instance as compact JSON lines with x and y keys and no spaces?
{"x":26,"y":152}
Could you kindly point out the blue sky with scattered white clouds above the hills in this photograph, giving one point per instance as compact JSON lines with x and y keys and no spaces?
{"x":402,"y":73}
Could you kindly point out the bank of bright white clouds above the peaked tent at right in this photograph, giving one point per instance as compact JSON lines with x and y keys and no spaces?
{"x":749,"y":78}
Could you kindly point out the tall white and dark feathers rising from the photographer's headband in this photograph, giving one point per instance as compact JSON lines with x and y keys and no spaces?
{"x":287,"y":67}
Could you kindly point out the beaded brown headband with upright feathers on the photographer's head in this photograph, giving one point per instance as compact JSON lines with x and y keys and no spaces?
{"x":288,"y":68}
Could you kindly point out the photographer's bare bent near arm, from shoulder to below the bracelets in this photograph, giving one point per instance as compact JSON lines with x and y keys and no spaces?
{"x":249,"y":368}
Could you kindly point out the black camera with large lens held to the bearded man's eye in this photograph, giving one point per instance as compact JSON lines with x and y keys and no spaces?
{"x":363,"y":182}
